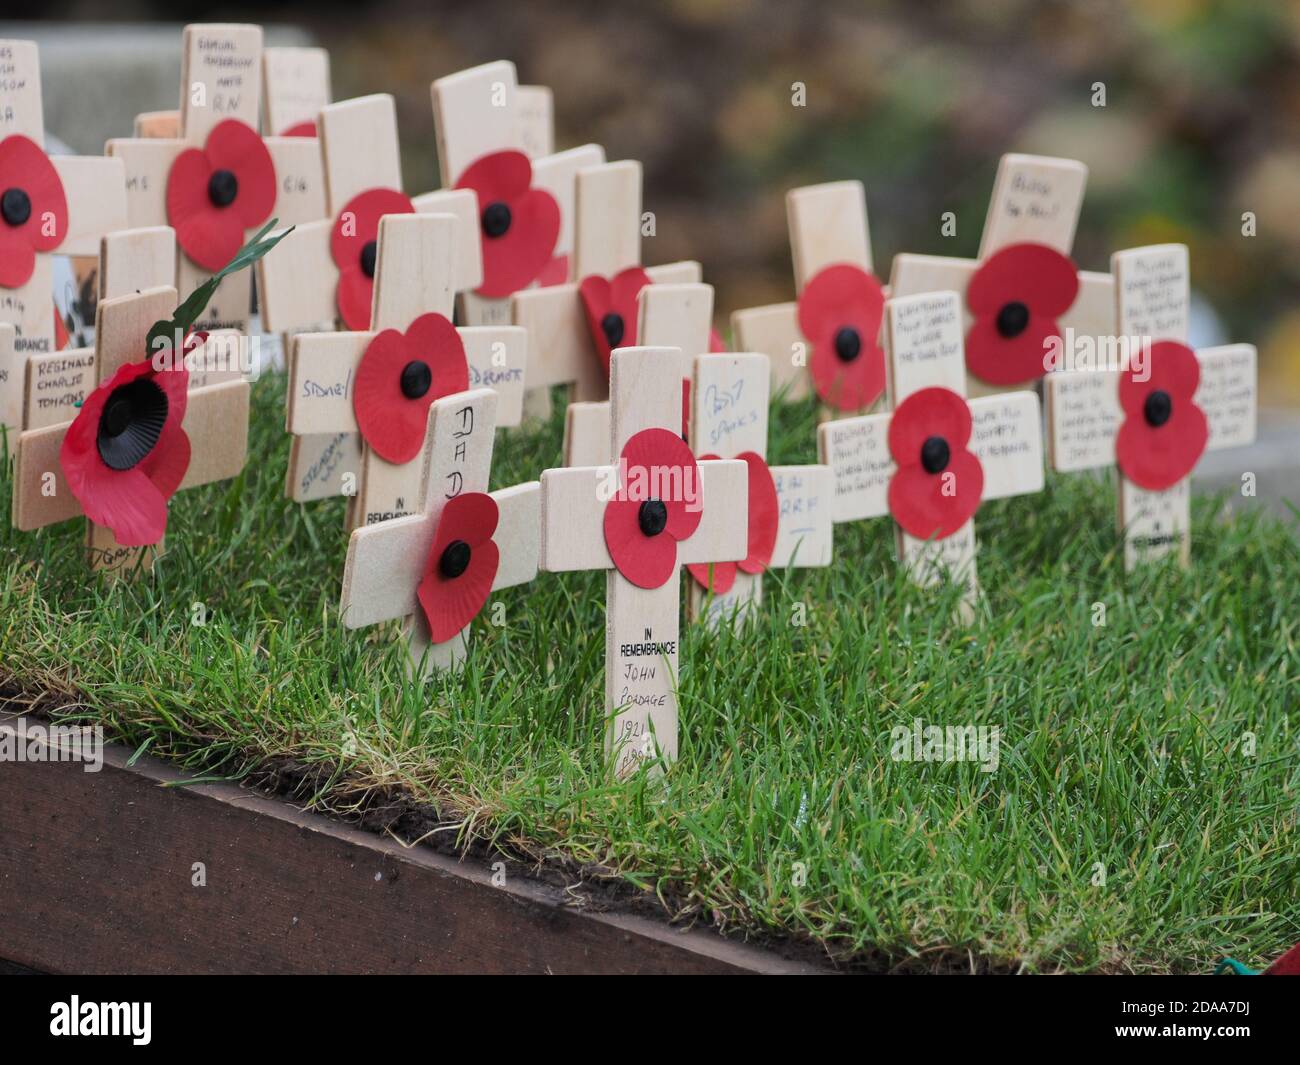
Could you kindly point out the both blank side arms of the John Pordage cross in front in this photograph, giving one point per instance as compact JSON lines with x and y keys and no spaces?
{"x":573,"y":517}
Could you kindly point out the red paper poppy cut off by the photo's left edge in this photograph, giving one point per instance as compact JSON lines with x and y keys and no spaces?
{"x":33,"y":209}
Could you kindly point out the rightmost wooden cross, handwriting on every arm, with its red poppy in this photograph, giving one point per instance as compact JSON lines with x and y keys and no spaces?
{"x":1087,"y":417}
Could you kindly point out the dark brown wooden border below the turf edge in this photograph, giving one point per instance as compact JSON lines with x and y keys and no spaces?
{"x":97,"y":868}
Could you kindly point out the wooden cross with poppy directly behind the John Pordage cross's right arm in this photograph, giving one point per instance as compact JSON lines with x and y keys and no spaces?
{"x":729,"y":418}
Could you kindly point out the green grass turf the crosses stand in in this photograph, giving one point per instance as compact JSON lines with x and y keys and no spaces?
{"x":1123,"y":744}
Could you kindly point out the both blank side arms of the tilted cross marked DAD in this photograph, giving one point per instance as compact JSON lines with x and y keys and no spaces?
{"x":387,"y":561}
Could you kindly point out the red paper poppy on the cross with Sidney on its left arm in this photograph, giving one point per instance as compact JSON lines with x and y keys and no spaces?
{"x":400,"y":378}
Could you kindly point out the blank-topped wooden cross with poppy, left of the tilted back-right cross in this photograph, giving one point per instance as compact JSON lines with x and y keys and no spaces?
{"x":831,"y":245}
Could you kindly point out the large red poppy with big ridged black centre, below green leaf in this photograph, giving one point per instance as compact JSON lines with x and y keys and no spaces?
{"x":127,"y":454}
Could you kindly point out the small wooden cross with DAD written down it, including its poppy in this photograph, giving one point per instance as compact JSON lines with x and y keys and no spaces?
{"x":392,"y":570}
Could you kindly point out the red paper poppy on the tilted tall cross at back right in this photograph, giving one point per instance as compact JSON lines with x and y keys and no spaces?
{"x":1017,"y":297}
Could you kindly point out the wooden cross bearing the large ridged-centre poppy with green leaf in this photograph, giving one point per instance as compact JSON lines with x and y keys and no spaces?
{"x":131,"y":448}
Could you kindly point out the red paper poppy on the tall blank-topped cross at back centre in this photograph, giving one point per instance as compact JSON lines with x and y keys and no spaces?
{"x":519,"y":224}
